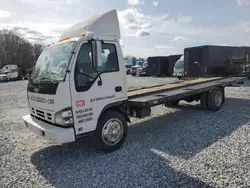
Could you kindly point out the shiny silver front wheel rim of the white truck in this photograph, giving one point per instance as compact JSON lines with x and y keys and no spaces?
{"x":112,"y":132}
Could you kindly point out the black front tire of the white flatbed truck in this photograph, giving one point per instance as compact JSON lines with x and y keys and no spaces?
{"x":103,"y":142}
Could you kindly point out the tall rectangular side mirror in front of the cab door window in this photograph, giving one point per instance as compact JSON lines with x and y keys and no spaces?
{"x":97,"y":54}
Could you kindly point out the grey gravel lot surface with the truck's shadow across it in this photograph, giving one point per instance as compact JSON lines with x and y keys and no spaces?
{"x":176,"y":147}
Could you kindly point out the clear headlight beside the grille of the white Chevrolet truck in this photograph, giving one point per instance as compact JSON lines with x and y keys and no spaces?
{"x":64,"y":117}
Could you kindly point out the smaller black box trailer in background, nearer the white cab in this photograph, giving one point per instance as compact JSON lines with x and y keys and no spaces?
{"x":162,"y":65}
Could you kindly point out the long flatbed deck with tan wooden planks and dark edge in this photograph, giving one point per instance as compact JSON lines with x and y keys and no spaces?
{"x":153,"y":96}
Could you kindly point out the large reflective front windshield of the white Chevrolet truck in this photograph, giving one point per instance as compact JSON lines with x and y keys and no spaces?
{"x":52,"y":63}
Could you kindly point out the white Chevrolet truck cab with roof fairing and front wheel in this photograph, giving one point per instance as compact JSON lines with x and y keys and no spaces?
{"x":72,"y":85}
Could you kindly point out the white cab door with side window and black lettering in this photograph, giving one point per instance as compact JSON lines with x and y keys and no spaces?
{"x":92,"y":90}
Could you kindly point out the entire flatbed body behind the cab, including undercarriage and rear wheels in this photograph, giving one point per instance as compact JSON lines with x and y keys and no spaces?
{"x":209,"y":91}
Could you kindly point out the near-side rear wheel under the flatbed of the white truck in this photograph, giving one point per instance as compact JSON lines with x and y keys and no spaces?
{"x":215,"y":99}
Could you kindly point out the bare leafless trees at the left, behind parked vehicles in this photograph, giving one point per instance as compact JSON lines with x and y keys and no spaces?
{"x":16,"y":50}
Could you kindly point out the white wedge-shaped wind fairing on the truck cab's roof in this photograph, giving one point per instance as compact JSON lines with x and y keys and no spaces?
{"x":105,"y":24}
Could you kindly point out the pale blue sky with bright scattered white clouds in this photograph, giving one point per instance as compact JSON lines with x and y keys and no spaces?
{"x":148,"y":27}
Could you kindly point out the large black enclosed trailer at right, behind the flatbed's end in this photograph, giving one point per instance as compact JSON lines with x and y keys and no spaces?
{"x":207,"y":61}
